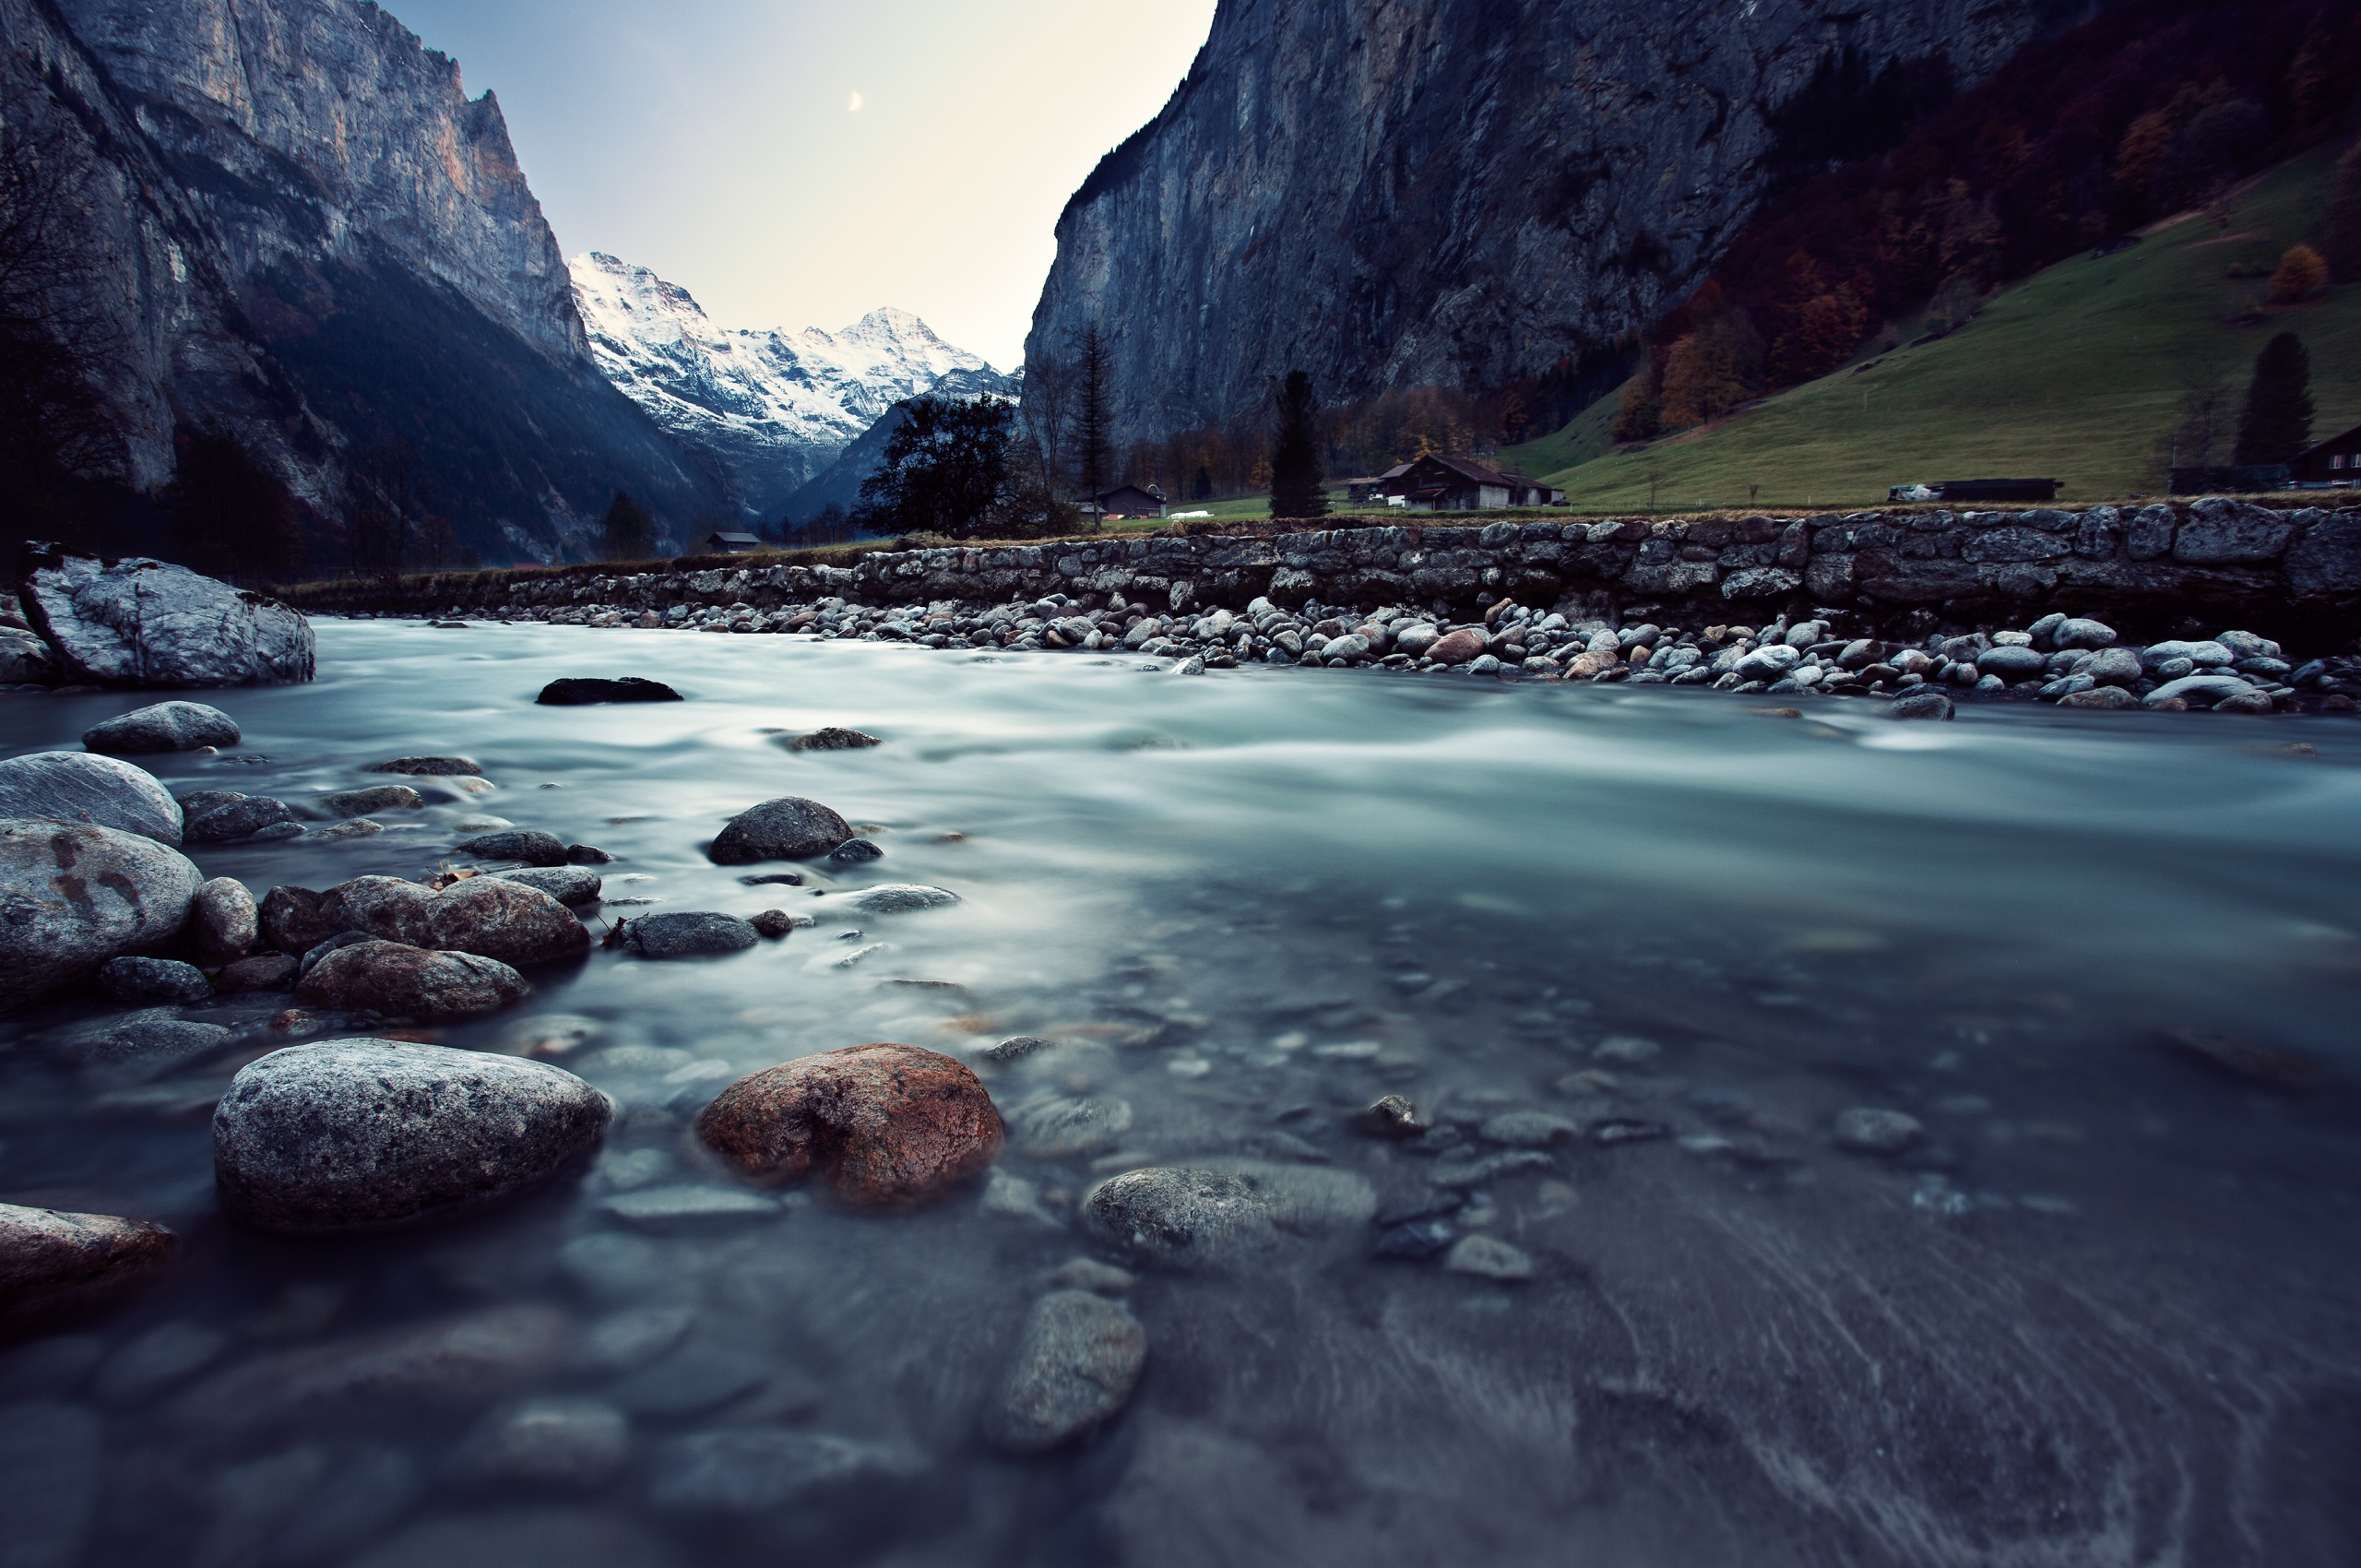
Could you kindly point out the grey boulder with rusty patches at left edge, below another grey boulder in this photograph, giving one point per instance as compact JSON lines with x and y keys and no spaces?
{"x":74,"y":896}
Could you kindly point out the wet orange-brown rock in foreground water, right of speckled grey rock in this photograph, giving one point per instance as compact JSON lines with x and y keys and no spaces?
{"x":894,"y":1128}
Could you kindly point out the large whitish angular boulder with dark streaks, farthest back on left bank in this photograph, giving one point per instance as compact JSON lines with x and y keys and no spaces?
{"x":148,"y":625}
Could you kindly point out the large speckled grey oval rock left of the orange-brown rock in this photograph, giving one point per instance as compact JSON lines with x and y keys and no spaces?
{"x":355,"y":1135}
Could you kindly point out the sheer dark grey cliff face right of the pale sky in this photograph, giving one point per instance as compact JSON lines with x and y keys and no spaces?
{"x":1448,"y":192}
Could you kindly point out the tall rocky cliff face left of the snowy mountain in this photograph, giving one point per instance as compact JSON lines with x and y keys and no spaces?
{"x":301,"y":228}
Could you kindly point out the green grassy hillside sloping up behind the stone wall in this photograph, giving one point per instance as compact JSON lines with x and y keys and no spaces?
{"x":2074,"y":374}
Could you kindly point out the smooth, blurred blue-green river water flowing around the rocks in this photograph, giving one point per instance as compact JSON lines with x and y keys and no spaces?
{"x":2105,"y":1312}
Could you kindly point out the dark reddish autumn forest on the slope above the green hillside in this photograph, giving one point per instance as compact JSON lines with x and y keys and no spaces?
{"x":2138,"y":115}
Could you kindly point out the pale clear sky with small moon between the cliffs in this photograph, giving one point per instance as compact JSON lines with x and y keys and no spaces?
{"x":804,"y":162}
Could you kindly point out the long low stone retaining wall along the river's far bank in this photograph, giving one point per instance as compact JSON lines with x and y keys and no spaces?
{"x":2294,"y":575}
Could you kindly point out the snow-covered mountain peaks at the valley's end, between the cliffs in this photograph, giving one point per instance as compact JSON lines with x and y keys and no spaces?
{"x":769,"y":410}
